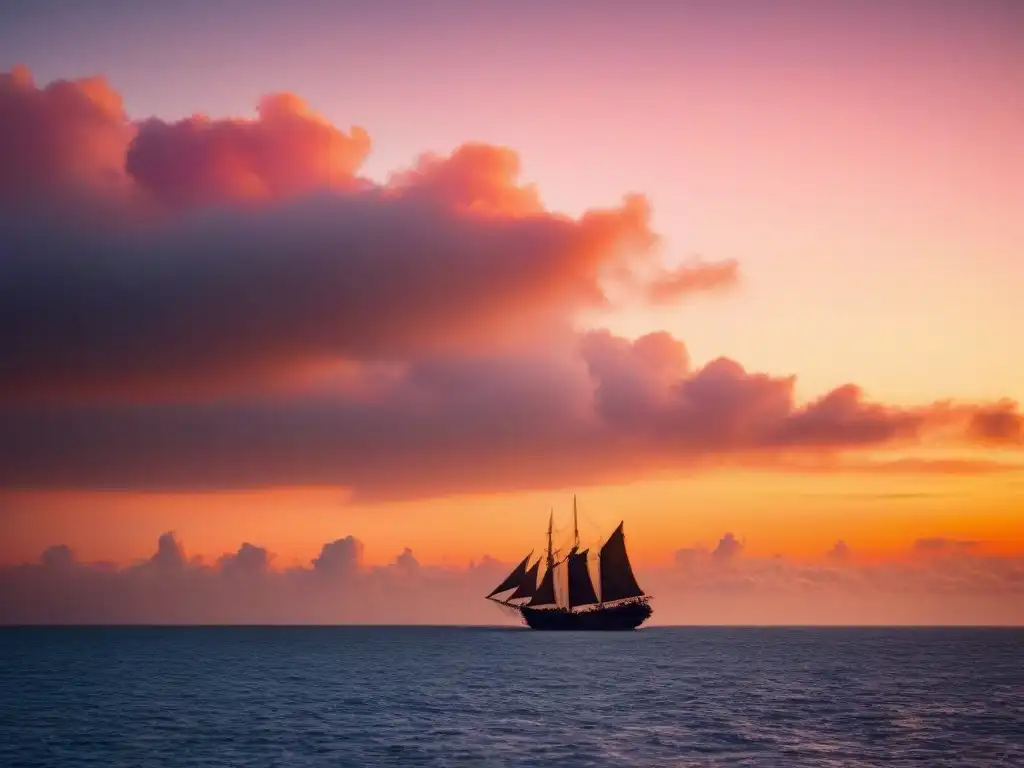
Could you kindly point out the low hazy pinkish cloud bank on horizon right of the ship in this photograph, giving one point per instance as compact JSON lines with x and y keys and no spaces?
{"x":968,"y":587}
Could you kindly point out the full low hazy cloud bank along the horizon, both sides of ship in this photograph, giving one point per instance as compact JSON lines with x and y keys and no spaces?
{"x":339,"y":587}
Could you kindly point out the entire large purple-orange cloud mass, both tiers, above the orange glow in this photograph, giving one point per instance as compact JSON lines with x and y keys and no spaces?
{"x":247,"y":311}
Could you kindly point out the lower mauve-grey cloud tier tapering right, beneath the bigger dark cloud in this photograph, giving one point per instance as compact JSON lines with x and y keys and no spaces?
{"x":587,"y":408}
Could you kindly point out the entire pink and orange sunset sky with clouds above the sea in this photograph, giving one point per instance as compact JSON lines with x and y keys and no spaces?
{"x":378,"y":287}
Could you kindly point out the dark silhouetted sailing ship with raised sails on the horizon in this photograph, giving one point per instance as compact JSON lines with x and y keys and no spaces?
{"x":567,"y":599}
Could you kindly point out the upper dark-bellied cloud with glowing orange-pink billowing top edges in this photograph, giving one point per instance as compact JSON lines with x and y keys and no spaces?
{"x":239,"y":249}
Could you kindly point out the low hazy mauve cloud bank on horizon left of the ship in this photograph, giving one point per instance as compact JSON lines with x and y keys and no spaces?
{"x":242,"y":588}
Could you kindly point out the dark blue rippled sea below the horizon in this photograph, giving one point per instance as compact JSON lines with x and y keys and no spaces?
{"x":447,"y":697}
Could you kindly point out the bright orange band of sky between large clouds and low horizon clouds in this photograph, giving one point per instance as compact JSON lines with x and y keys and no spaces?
{"x":794,"y":516}
